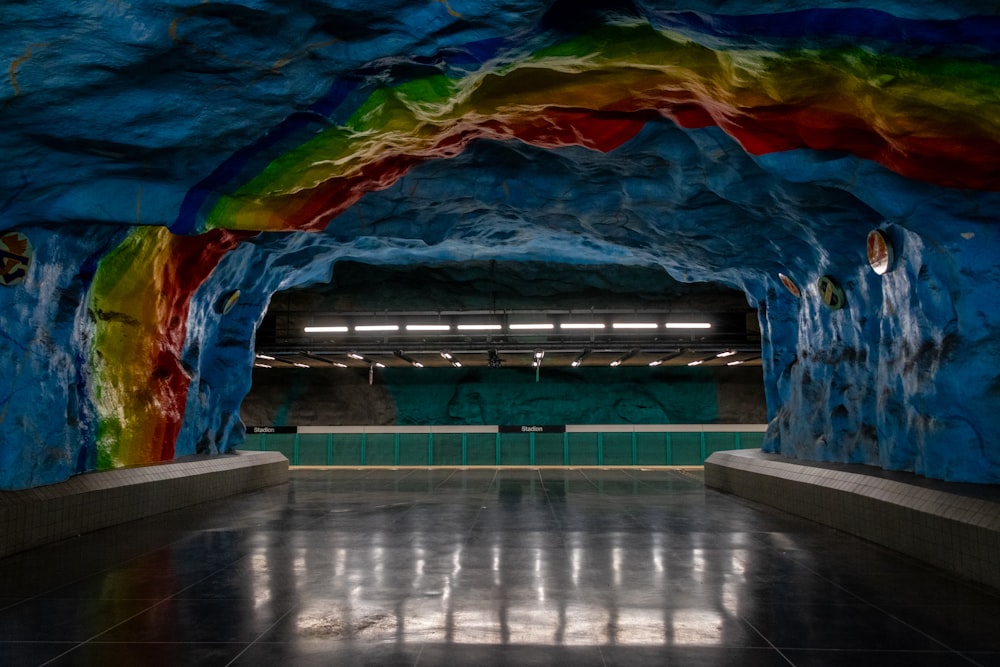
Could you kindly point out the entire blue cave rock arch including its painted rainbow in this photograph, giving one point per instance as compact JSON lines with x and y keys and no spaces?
{"x":161,"y":157}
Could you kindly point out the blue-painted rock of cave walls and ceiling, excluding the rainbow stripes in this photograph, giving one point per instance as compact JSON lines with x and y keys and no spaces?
{"x":113,"y":114}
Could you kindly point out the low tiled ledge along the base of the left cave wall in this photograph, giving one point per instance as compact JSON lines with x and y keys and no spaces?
{"x":88,"y":502}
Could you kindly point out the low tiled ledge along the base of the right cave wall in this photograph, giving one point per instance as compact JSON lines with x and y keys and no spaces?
{"x":953,"y":526}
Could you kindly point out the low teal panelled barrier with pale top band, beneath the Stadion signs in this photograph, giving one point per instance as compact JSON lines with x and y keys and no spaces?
{"x":610,"y":445}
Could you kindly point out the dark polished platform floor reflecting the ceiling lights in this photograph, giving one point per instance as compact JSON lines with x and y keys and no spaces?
{"x":483,"y":567}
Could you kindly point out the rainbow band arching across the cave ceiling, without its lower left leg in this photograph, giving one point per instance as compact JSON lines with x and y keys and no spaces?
{"x":920,"y":117}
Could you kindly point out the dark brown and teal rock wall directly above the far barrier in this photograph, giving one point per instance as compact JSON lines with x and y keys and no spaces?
{"x":505,"y":396}
